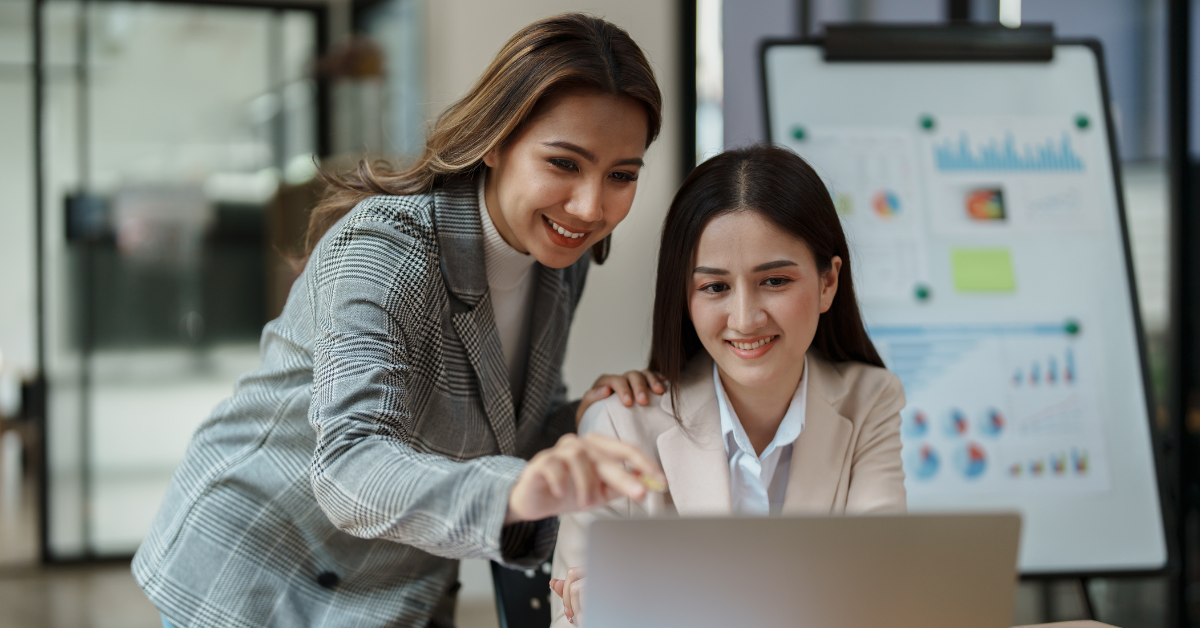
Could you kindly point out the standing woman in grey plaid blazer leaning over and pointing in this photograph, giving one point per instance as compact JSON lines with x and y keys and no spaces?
{"x":417,"y":366}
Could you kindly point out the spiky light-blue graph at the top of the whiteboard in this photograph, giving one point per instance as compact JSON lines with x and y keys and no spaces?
{"x":1049,"y":155}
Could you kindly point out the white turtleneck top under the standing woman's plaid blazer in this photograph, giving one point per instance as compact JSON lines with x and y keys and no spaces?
{"x":511,"y":280}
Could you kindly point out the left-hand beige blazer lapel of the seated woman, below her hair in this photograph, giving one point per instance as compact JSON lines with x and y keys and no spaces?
{"x":693,"y":454}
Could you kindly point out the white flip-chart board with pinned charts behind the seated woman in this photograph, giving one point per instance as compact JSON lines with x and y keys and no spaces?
{"x":991,"y":260}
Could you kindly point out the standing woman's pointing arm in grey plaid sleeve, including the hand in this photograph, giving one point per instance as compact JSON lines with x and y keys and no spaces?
{"x":369,"y":289}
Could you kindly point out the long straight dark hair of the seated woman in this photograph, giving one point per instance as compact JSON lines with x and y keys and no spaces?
{"x":783,"y":188}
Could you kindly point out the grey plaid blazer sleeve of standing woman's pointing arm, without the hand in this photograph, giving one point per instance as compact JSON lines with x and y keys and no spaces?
{"x":365,"y":476}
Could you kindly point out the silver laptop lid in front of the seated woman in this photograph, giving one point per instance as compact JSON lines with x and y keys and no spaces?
{"x":855,"y":572}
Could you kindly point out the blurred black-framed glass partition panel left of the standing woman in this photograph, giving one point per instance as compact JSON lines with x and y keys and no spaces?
{"x":170,"y":130}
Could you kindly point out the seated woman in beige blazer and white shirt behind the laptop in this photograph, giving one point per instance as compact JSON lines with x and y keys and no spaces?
{"x":779,"y":403}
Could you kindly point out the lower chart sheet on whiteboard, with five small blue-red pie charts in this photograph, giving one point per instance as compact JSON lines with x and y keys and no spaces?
{"x":997,"y":408}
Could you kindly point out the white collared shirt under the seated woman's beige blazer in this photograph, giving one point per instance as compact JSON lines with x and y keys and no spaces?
{"x":759,"y":485}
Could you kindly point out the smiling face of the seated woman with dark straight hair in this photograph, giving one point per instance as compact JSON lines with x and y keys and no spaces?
{"x":757,"y":296}
